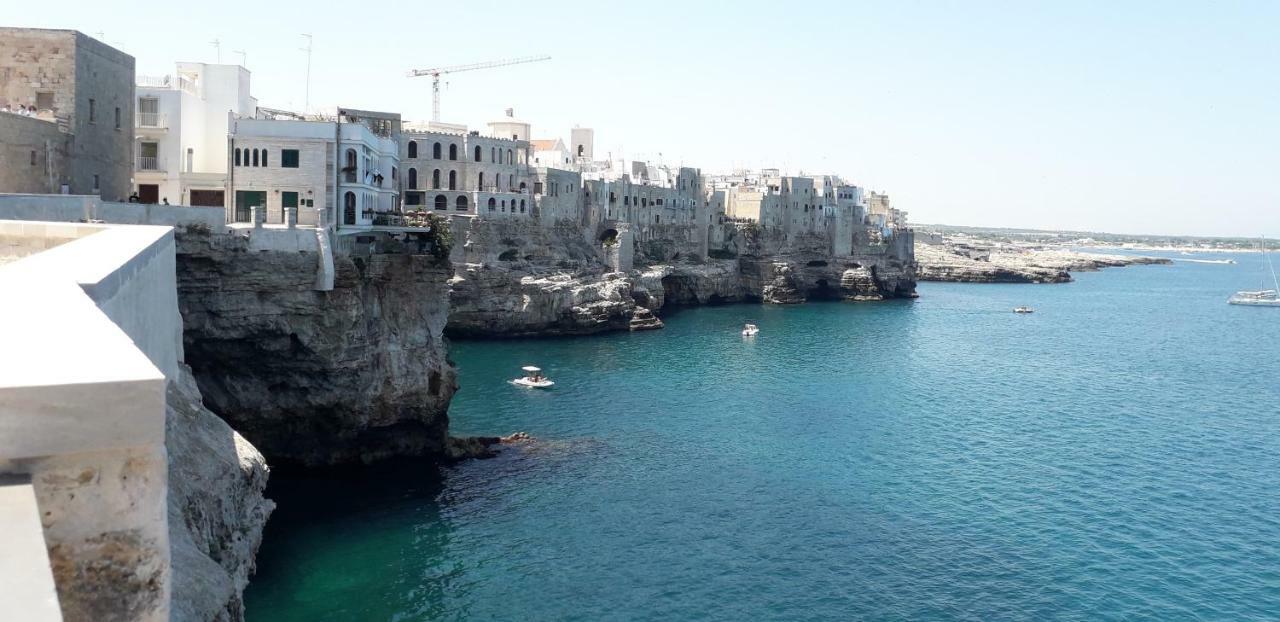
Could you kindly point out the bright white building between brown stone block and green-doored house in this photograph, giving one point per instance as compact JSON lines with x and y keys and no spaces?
{"x":181,"y":129}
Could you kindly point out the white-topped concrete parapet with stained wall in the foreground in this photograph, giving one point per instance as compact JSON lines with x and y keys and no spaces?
{"x":83,"y":409}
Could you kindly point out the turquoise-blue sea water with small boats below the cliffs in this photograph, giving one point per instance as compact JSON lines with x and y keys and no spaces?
{"x":1117,"y":455}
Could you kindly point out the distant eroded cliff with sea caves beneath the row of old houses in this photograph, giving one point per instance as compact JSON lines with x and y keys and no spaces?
{"x":516,"y":278}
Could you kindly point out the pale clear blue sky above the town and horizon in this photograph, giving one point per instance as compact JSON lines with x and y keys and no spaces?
{"x":1132,"y":117}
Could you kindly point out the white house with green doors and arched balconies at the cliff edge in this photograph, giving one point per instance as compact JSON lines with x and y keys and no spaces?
{"x":346,"y":167}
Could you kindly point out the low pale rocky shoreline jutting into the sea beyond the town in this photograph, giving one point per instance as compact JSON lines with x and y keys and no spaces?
{"x":972,"y":262}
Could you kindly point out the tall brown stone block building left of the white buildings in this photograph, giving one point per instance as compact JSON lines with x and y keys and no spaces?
{"x":81,"y":141}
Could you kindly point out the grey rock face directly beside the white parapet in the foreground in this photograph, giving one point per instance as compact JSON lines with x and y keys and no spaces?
{"x":217,"y":510}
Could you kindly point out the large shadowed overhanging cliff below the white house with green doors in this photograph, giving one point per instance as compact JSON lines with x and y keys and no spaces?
{"x":355,"y":374}
